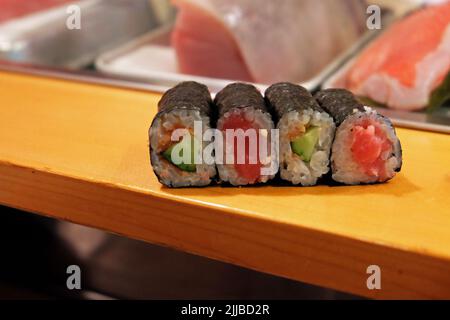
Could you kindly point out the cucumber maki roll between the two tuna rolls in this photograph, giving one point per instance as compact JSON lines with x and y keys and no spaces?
{"x":306,"y":133}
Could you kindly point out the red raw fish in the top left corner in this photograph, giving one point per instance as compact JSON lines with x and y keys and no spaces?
{"x":10,"y":9}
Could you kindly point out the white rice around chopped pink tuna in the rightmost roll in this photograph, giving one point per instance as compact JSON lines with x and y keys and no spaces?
{"x":345,"y":169}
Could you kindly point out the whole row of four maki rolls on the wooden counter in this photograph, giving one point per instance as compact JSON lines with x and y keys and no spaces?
{"x":306,"y":137}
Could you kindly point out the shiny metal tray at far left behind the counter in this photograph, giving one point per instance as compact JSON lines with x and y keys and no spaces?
{"x":44,"y":39}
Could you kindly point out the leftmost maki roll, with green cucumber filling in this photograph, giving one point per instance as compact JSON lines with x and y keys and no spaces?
{"x":172,"y":134}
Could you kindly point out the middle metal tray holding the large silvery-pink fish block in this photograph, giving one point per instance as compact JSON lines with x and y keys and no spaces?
{"x":160,"y":60}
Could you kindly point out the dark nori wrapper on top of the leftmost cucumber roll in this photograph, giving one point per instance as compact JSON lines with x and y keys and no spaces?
{"x":188,"y":95}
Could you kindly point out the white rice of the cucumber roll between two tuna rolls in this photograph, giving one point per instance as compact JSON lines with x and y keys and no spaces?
{"x":292,"y":167}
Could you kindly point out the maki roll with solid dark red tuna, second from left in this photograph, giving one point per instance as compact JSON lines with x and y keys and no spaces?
{"x":246,"y":125}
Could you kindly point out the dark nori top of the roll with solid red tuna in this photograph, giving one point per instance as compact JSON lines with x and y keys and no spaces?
{"x":239,"y":95}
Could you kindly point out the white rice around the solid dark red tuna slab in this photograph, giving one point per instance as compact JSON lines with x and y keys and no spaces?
{"x":260,"y":119}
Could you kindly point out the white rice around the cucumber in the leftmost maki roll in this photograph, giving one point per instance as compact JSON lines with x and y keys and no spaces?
{"x":168,"y":173}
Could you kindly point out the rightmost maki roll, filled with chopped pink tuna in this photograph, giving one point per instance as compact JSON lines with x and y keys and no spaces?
{"x":366,"y":148}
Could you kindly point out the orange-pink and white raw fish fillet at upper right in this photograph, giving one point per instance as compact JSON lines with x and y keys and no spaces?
{"x":406,"y":63}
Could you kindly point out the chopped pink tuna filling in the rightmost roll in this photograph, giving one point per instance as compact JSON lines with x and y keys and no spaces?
{"x":369,"y":143}
